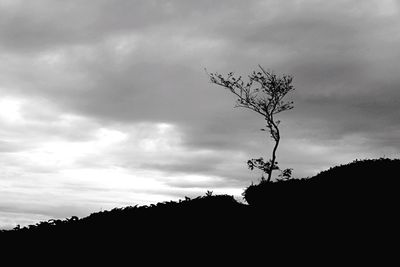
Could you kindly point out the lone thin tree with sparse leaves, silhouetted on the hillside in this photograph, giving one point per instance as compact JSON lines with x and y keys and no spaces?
{"x":263,"y":93}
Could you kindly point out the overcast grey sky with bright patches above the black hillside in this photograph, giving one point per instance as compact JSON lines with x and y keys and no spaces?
{"x":107,"y":103}
